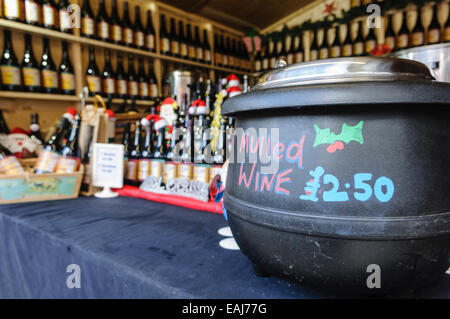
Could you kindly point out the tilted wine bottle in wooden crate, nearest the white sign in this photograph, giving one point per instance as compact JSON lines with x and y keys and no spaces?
{"x":70,"y":158}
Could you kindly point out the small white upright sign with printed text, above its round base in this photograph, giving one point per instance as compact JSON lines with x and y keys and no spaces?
{"x":107,"y":170}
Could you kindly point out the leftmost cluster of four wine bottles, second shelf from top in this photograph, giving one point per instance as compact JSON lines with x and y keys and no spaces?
{"x":31,"y":76}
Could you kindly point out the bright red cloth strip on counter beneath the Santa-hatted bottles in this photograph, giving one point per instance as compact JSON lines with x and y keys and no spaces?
{"x":132,"y":191}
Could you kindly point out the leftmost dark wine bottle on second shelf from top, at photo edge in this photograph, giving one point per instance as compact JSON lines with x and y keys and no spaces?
{"x":9,"y":65}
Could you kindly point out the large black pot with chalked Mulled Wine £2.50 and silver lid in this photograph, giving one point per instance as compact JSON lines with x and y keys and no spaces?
{"x":360,"y":202}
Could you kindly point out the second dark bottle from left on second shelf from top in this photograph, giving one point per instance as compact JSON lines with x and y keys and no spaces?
{"x":31,"y":73}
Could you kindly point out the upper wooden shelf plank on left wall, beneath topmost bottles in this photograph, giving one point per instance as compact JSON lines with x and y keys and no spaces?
{"x":106,"y":45}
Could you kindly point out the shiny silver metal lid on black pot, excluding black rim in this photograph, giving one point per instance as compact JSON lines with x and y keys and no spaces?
{"x":342,"y":70}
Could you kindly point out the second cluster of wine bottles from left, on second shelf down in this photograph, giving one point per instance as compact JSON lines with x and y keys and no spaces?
{"x":118,"y":83}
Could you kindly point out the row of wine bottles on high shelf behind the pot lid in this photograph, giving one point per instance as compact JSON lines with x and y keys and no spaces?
{"x":358,"y":46}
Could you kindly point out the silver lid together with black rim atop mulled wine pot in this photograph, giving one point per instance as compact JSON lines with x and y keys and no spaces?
{"x":342,"y":82}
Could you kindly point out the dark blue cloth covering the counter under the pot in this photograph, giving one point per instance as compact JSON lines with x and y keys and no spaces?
{"x":131,"y":248}
